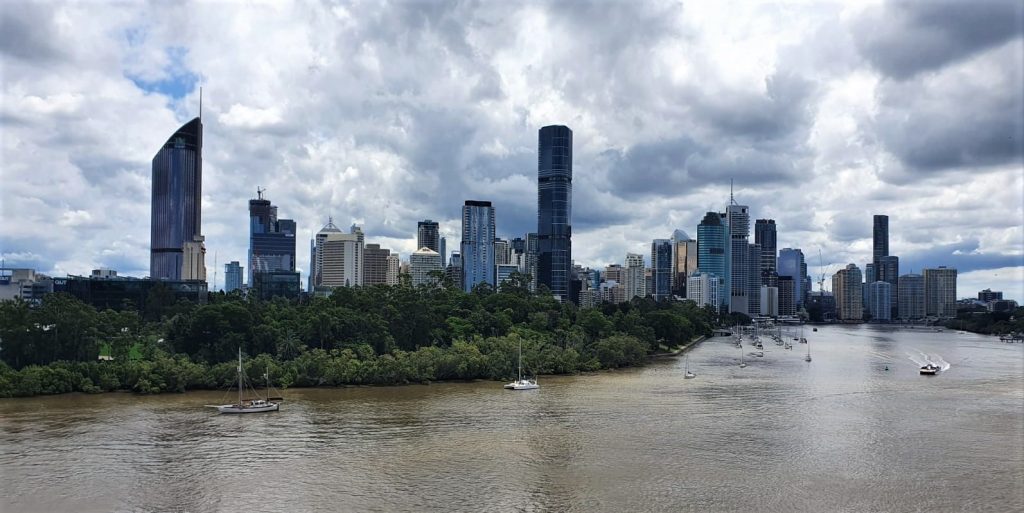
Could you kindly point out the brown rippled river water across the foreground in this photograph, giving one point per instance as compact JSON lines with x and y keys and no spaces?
{"x":840,"y":434}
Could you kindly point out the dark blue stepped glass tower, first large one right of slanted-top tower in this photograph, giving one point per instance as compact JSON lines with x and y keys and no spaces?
{"x":272,"y":241}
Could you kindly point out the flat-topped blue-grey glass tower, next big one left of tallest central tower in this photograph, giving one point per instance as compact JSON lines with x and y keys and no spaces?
{"x":478,"y":248}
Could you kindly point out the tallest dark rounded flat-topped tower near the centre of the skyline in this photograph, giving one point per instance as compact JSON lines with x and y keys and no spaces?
{"x":554,"y":209}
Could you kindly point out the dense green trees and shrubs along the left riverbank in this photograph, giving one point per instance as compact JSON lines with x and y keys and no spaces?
{"x":359,"y":336}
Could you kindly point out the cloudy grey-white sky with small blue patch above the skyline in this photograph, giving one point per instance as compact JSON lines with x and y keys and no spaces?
{"x":383,"y":114}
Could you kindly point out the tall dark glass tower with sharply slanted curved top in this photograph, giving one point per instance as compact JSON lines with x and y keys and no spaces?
{"x":178,"y":194}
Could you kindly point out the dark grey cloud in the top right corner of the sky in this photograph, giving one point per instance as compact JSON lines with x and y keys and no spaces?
{"x":905,"y":38}
